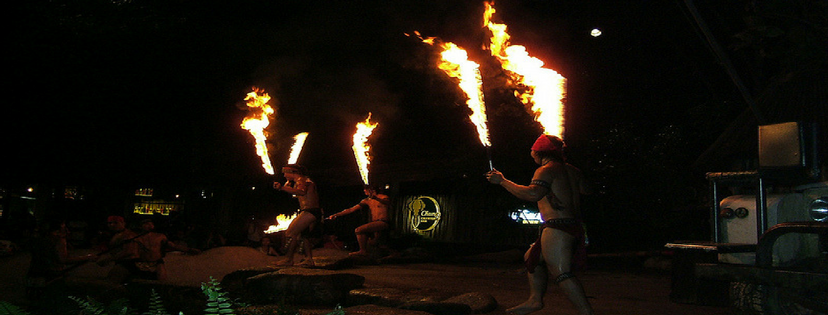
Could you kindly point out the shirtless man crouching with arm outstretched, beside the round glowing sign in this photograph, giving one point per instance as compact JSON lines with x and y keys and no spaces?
{"x":378,"y":205}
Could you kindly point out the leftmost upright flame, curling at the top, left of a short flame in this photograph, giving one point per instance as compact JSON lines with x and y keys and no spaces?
{"x":256,"y":122}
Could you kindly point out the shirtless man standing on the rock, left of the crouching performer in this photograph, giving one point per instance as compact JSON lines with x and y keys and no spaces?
{"x":310,"y":215}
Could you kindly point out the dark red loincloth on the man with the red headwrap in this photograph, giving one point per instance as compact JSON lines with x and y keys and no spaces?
{"x":572,"y":227}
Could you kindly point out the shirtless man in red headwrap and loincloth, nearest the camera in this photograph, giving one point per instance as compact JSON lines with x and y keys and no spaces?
{"x":556,"y":187}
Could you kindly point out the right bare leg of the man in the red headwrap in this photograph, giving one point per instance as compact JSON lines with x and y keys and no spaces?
{"x":557,"y":252}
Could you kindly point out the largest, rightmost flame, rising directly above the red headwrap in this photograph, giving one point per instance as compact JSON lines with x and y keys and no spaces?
{"x":545,"y":88}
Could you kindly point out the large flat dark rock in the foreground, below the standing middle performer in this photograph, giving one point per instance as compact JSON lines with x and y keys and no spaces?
{"x":300,"y":286}
